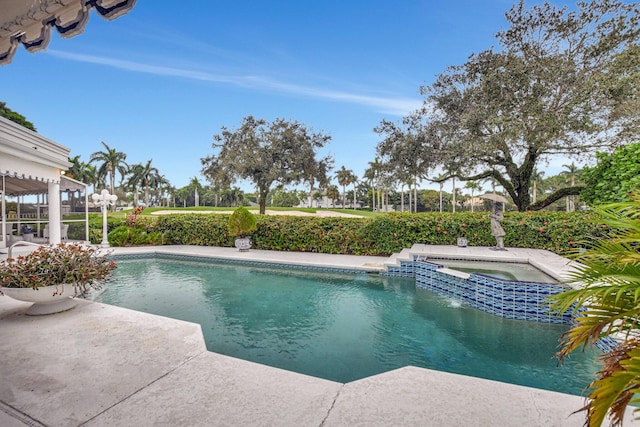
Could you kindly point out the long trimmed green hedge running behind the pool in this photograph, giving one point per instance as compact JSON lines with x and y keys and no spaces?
{"x":383,"y":235}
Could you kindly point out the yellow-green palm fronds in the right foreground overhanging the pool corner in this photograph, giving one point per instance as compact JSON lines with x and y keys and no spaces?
{"x":607,"y":304}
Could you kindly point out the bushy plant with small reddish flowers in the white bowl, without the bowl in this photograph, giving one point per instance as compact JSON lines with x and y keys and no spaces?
{"x":81,"y":266}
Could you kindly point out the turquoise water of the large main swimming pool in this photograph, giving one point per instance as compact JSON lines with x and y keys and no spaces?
{"x":342,"y":326}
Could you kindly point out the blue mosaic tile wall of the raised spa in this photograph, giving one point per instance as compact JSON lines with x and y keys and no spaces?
{"x":505,"y":298}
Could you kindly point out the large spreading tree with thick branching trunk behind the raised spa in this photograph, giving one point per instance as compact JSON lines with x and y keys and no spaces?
{"x":562,"y":83}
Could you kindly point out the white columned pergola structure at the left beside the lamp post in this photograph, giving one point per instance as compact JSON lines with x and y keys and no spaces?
{"x":31,"y":164}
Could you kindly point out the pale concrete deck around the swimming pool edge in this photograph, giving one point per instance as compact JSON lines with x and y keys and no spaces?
{"x":100,"y":365}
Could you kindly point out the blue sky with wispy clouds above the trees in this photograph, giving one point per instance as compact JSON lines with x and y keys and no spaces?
{"x":158,"y":82}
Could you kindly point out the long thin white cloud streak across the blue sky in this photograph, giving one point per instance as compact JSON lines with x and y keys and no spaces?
{"x":396,"y":106}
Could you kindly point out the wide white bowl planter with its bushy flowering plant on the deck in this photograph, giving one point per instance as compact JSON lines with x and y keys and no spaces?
{"x":52,"y":275}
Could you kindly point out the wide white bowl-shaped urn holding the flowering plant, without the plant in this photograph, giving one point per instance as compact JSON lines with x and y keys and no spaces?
{"x":46,"y":299}
